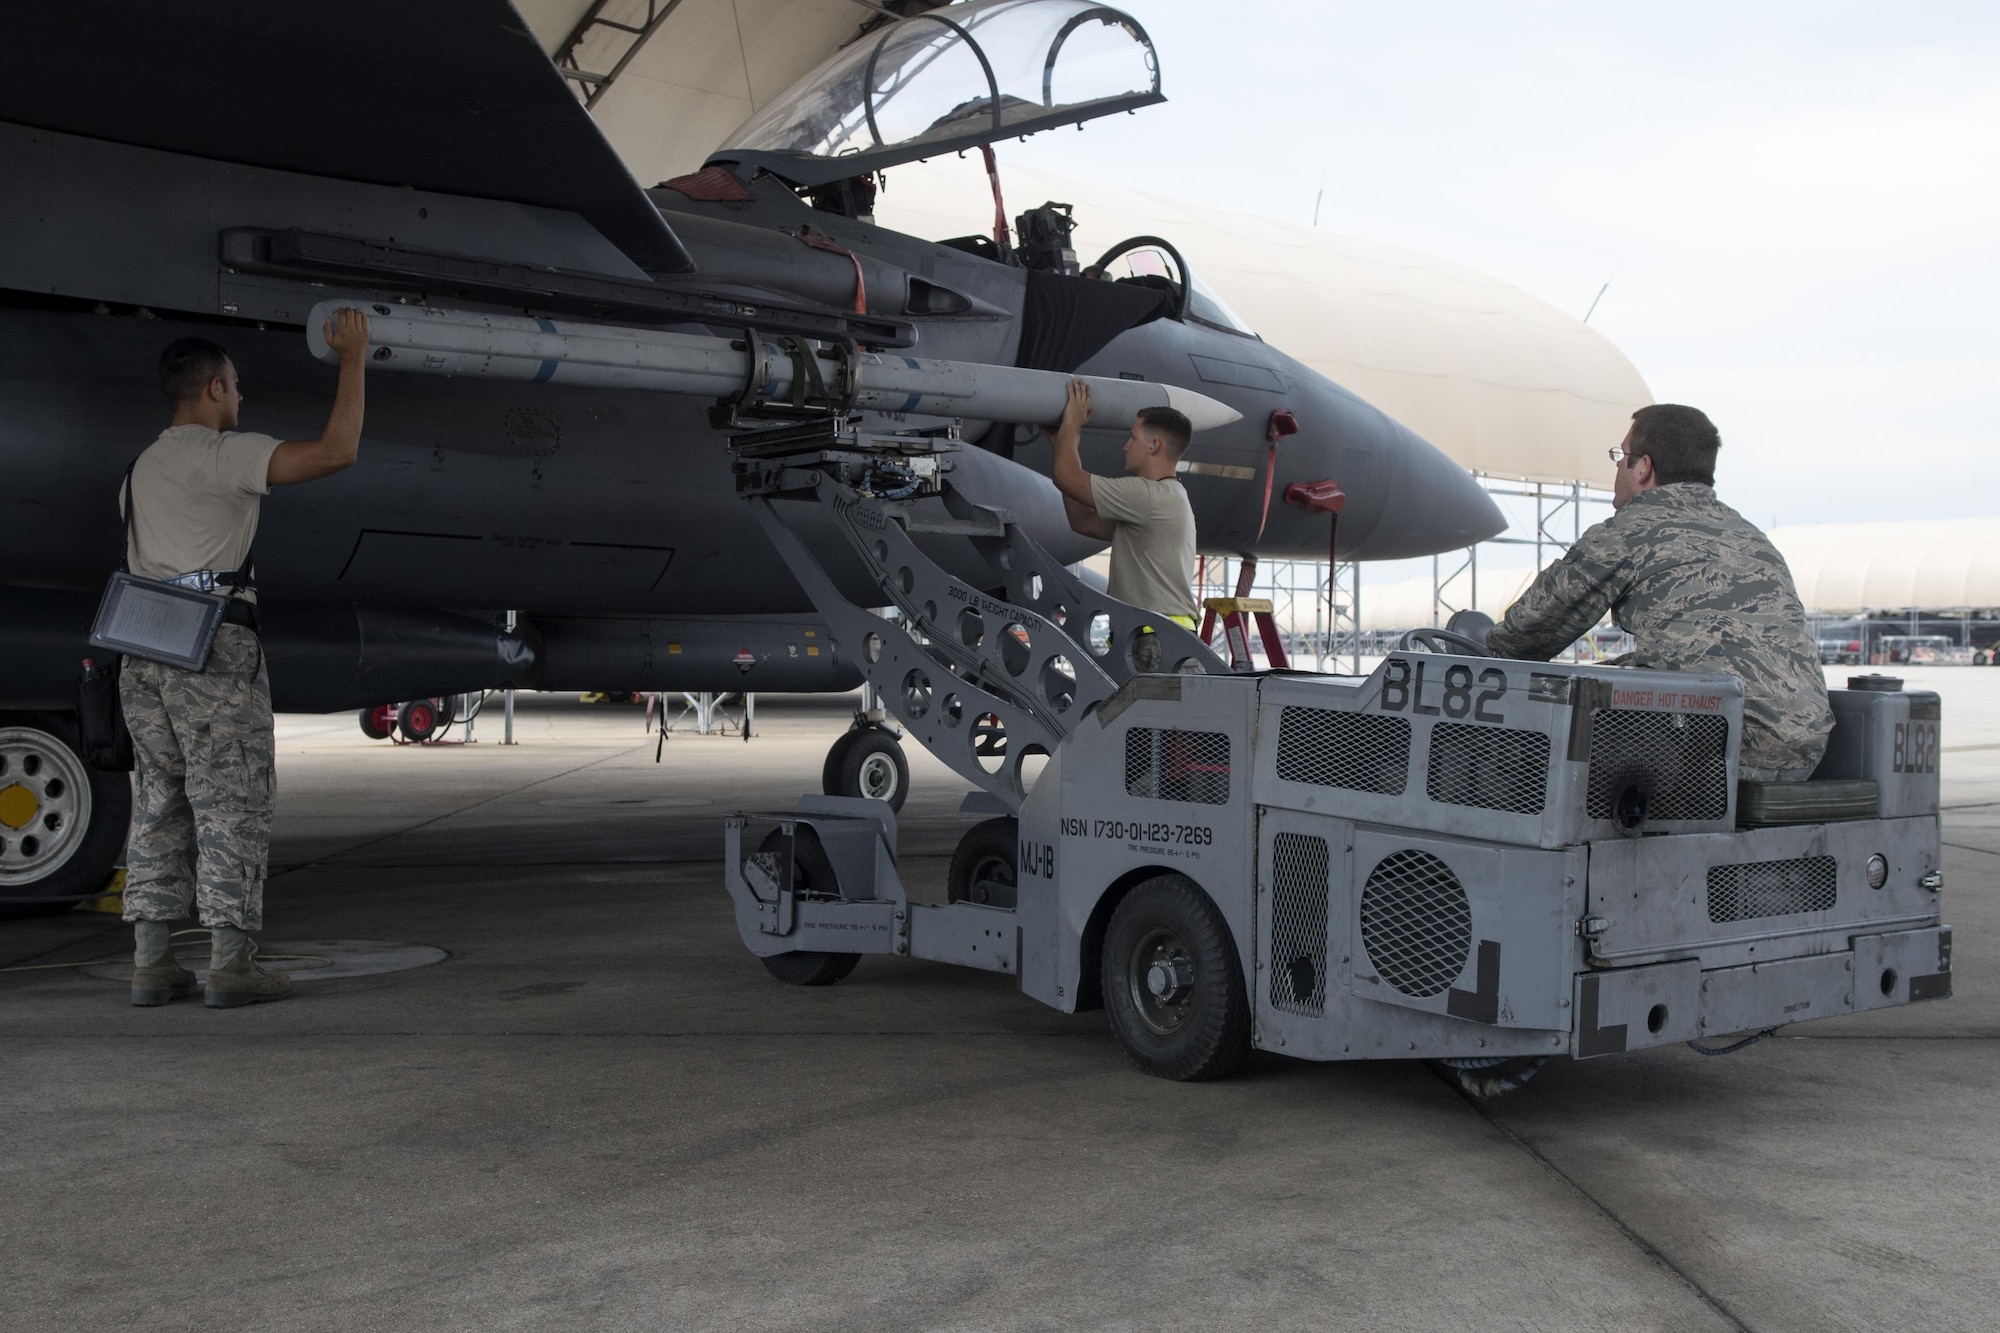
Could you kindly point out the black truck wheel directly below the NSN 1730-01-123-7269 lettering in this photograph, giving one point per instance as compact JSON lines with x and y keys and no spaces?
{"x":1173,"y":986}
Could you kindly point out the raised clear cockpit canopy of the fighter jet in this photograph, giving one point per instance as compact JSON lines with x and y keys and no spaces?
{"x":953,"y":79}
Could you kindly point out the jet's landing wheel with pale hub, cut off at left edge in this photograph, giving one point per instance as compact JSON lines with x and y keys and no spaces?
{"x":63,"y":824}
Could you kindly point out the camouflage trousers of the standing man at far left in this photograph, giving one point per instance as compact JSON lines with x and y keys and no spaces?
{"x":203,"y":788}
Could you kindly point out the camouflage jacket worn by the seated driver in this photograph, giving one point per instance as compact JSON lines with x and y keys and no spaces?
{"x":1701,"y":589}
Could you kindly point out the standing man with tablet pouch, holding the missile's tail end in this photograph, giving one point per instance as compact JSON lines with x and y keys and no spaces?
{"x":203,"y":740}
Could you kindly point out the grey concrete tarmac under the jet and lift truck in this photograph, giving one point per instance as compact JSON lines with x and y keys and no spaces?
{"x":603,"y":1114}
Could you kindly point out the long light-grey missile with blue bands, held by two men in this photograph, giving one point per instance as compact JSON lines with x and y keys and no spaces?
{"x":515,"y":347}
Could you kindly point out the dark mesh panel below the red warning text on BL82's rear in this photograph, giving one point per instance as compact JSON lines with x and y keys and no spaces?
{"x":1679,"y":764}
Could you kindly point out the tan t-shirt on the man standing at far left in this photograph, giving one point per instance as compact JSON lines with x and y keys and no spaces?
{"x":195,"y":501}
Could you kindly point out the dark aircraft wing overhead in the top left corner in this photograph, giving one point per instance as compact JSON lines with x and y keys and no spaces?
{"x":445,"y":95}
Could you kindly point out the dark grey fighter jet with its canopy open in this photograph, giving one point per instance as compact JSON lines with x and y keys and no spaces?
{"x":225,"y":169}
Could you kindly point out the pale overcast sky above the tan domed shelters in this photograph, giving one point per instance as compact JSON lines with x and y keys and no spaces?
{"x":1795,"y":203}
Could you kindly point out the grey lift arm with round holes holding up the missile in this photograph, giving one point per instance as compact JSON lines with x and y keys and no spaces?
{"x":983,"y":680}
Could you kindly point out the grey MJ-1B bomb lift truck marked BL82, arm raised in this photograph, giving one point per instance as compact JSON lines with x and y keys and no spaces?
{"x":1453,"y":858}
